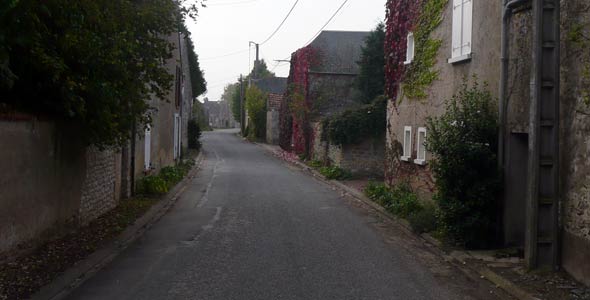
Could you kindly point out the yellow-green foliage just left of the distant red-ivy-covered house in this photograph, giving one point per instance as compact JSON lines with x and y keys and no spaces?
{"x":256,"y":106}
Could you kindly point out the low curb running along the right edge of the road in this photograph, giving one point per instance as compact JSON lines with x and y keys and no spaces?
{"x":470,"y":271}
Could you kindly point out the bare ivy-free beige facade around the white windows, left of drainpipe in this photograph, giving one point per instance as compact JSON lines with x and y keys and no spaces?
{"x":484,"y":64}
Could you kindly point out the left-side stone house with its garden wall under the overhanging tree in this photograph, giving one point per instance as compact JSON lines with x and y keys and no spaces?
{"x":51,"y":181}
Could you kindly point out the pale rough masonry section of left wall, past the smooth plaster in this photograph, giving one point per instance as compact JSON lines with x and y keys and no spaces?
{"x":100,"y":190}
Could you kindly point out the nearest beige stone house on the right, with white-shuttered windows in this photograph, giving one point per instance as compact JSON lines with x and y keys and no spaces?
{"x":545,"y":206}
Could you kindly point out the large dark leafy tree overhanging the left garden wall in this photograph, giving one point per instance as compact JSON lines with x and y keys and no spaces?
{"x":91,"y":63}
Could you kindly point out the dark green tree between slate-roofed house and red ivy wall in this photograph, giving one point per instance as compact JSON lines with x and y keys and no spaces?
{"x":371,"y":78}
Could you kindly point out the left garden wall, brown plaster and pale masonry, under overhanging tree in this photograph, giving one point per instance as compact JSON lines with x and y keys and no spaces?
{"x":49,"y":181}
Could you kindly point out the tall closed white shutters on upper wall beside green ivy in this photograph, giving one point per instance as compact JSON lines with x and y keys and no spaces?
{"x":462,"y":29}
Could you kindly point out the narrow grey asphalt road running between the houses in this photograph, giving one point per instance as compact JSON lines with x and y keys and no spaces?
{"x":251,"y":227}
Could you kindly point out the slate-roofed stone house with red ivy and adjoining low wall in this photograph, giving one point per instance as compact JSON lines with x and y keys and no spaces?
{"x":323,"y":77}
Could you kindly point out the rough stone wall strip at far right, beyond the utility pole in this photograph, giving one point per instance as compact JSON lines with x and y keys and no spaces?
{"x":574,"y":140}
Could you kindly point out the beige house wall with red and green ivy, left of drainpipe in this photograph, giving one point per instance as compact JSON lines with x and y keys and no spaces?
{"x":418,"y":91}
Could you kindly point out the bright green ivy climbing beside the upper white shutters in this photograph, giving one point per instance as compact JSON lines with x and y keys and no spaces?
{"x":420,"y":73}
